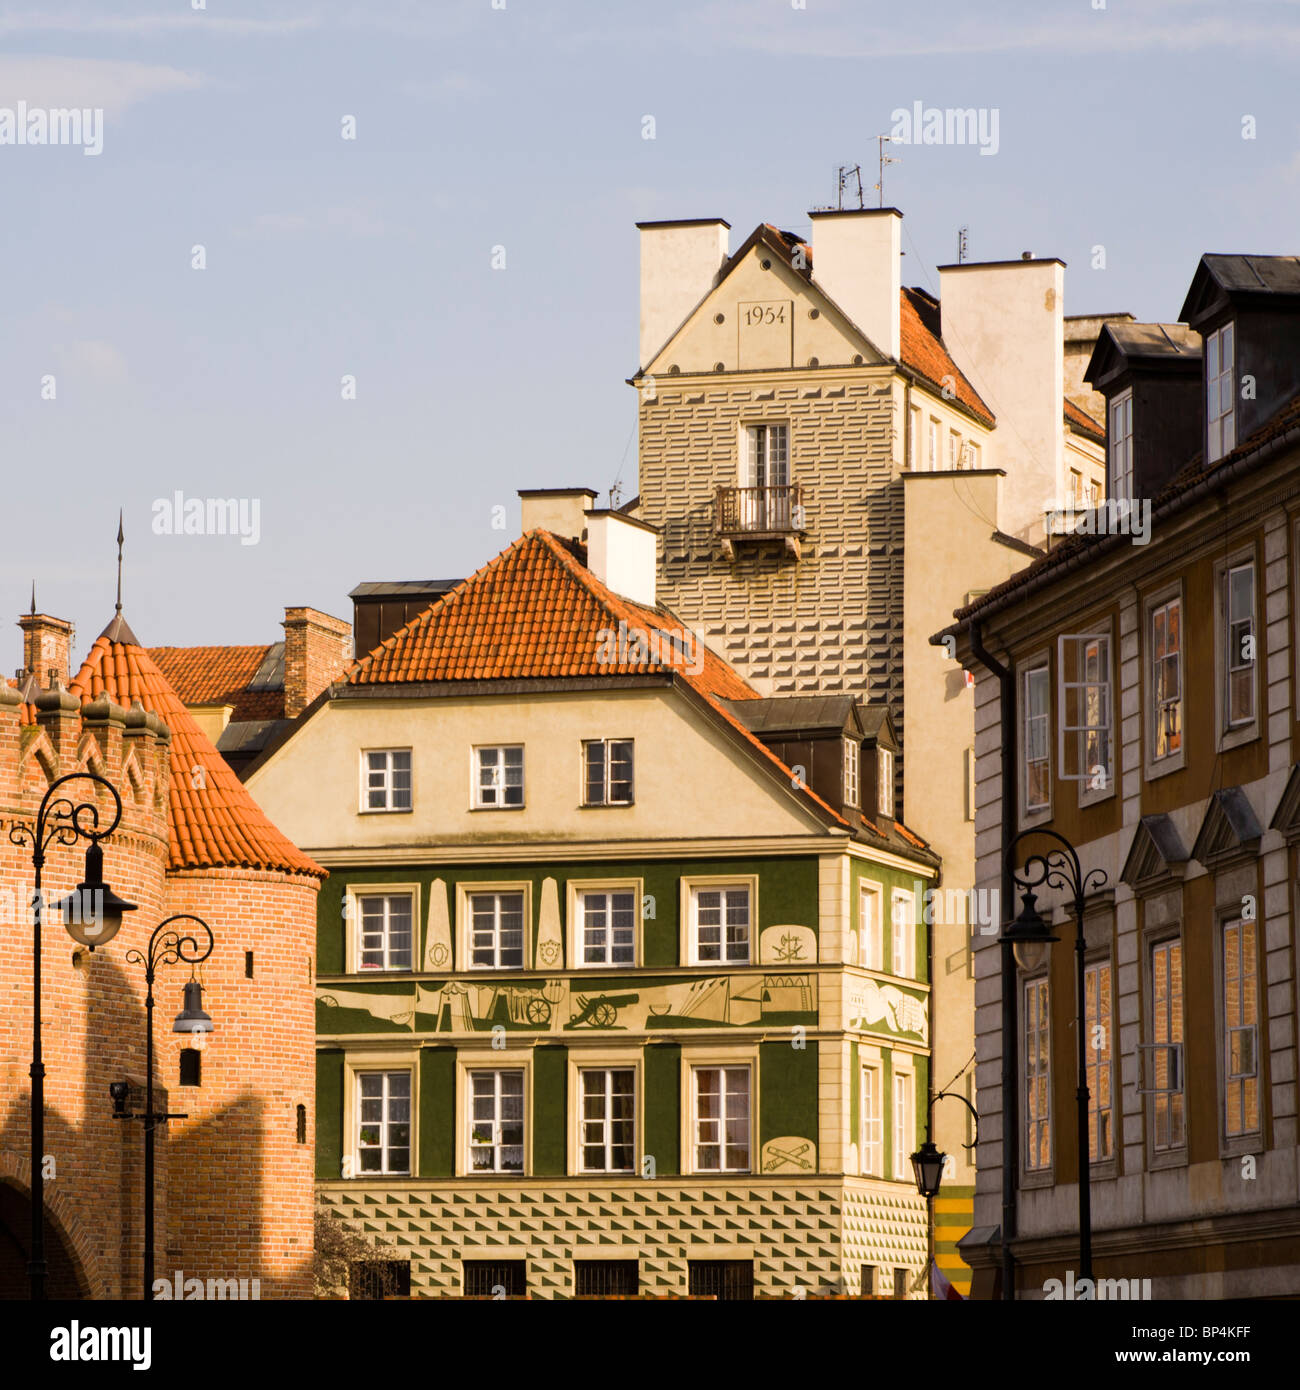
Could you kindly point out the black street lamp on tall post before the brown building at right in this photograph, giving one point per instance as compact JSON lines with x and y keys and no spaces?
{"x":1028,"y":939}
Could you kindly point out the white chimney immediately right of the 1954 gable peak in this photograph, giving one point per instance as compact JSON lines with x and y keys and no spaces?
{"x":856,"y":259}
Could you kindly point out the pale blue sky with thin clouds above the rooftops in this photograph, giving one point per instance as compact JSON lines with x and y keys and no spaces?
{"x":517,"y":127}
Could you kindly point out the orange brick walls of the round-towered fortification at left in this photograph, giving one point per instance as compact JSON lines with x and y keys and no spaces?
{"x":234,"y":1186}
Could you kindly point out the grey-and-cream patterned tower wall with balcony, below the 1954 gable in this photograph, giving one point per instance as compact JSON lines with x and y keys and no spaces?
{"x":831,"y":621}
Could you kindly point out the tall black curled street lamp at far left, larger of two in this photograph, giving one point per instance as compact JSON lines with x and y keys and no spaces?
{"x":92,"y":915}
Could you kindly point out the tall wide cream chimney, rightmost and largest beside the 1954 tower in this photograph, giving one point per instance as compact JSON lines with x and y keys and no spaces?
{"x":1005,"y":326}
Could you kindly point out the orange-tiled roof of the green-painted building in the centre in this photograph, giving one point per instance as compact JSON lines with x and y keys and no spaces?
{"x":537,"y":612}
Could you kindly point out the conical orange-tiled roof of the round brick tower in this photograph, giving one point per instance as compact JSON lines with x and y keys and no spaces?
{"x":215,"y":826}
